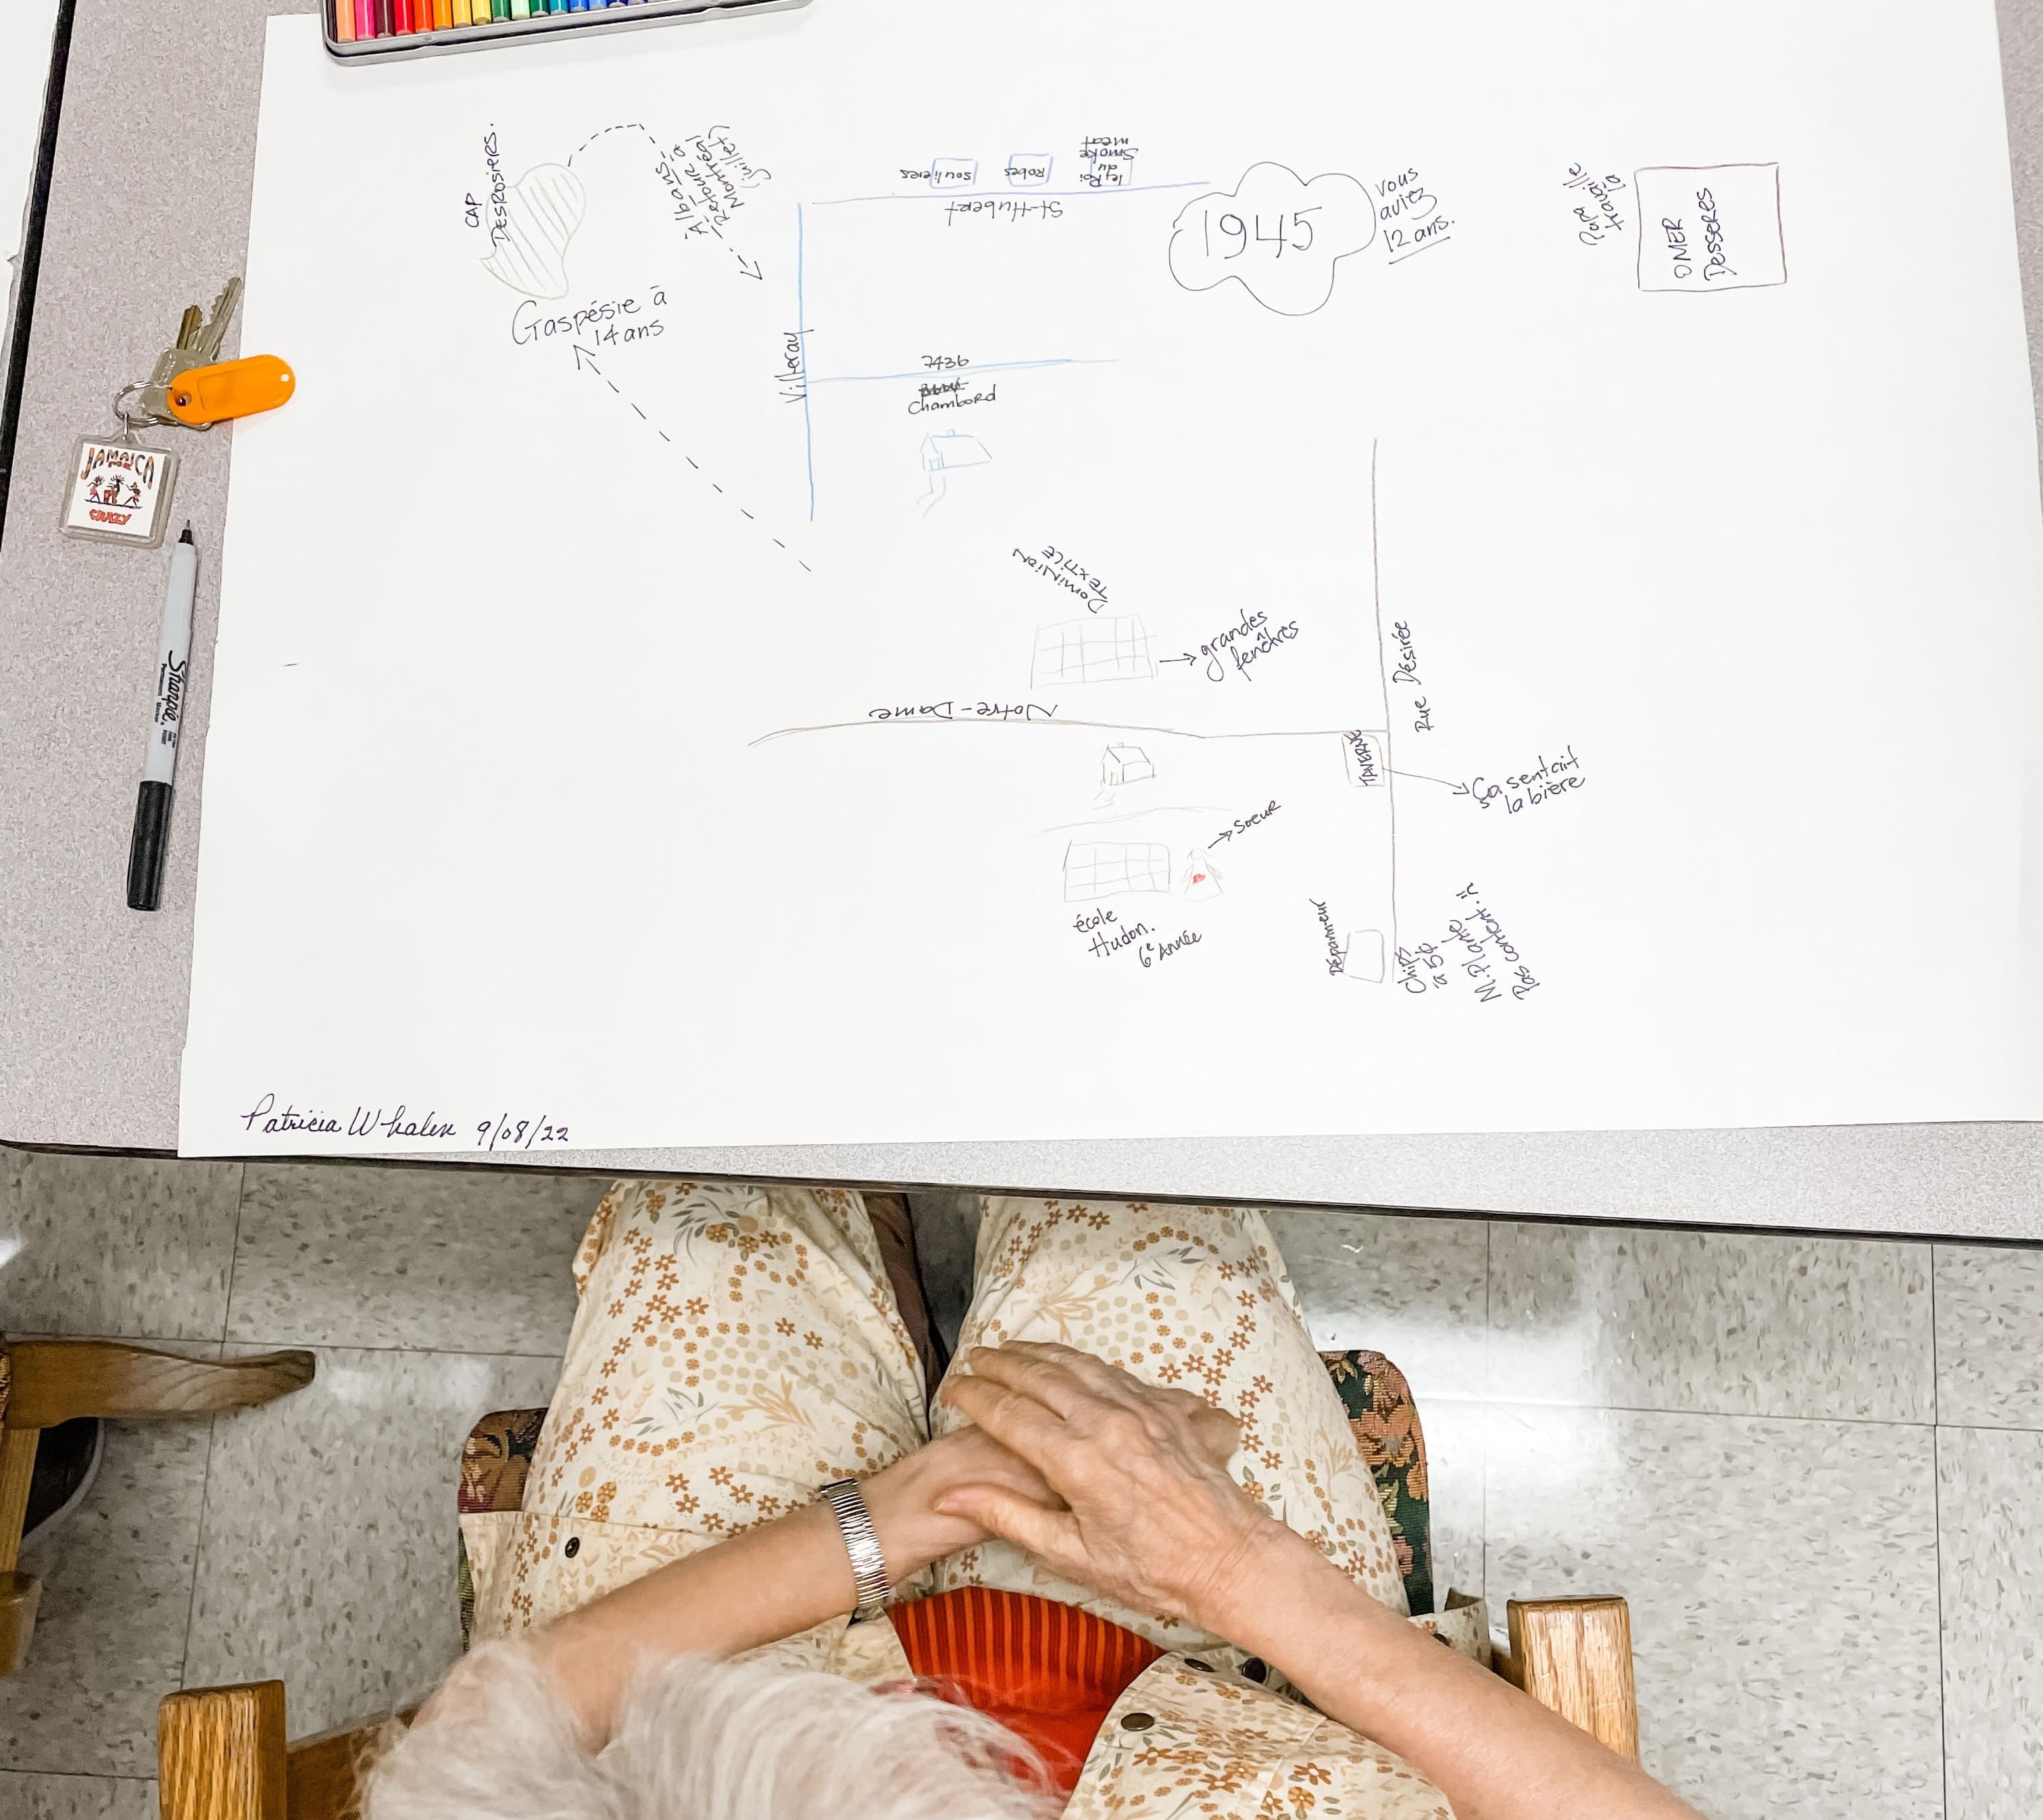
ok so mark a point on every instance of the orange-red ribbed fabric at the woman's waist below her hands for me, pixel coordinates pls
(1043, 1670)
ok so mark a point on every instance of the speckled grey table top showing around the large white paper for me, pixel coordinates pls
(93, 998)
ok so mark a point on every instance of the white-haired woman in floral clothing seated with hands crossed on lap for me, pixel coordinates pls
(1131, 1568)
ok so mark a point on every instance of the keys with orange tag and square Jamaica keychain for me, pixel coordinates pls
(120, 487)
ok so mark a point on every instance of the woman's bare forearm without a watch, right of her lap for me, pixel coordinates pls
(1492, 1752)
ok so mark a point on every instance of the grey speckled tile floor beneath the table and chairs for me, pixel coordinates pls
(1815, 1468)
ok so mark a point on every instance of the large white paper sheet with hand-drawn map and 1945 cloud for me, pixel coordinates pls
(924, 571)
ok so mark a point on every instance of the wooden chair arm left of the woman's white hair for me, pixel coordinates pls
(222, 1756)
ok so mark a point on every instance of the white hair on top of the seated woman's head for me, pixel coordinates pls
(702, 1741)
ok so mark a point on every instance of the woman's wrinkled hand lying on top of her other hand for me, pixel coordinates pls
(1145, 1508)
